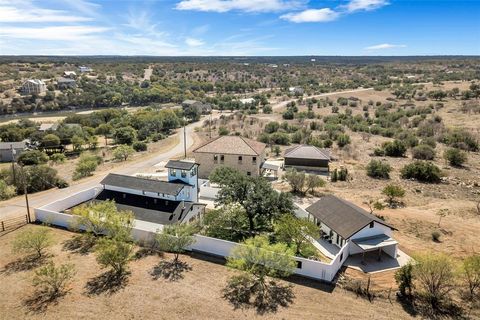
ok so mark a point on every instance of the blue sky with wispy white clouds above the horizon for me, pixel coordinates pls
(239, 27)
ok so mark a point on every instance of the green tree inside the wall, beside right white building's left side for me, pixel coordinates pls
(296, 232)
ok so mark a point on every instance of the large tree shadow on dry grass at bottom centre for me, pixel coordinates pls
(242, 293)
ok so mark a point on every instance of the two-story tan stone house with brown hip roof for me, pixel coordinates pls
(243, 154)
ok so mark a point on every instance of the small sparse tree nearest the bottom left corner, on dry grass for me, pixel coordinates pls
(53, 281)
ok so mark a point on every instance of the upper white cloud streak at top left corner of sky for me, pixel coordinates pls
(19, 15)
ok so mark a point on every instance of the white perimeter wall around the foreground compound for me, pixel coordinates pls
(144, 232)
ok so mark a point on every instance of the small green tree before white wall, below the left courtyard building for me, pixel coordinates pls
(175, 238)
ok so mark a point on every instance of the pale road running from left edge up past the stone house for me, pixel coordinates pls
(17, 206)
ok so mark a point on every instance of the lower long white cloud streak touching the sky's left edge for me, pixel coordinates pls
(64, 33)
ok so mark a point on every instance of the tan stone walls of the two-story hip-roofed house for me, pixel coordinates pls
(207, 164)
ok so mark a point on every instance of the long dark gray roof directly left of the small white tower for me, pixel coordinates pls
(136, 183)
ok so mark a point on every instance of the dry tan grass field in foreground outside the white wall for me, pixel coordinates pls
(196, 295)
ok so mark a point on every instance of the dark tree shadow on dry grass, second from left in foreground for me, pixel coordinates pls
(108, 283)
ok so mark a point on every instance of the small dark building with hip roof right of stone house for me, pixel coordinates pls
(307, 158)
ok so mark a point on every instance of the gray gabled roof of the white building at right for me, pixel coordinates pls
(342, 216)
